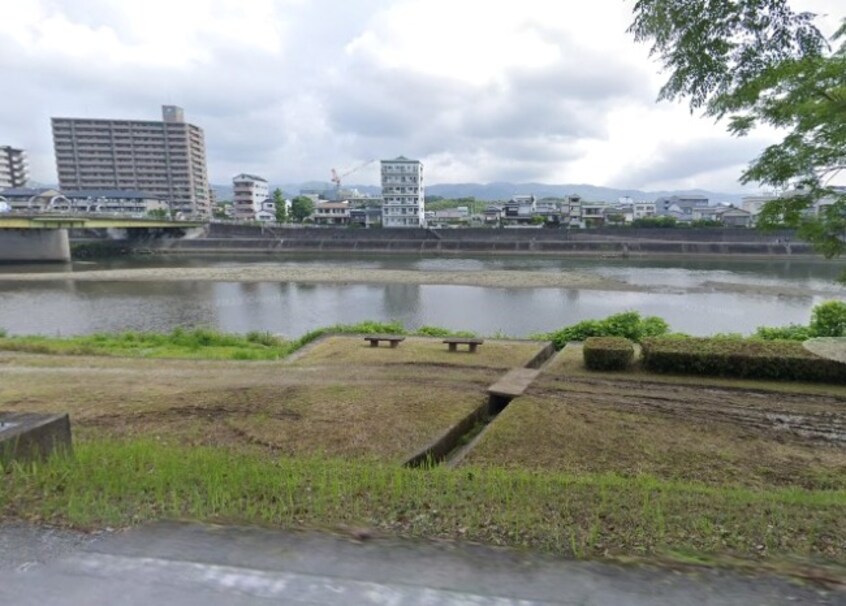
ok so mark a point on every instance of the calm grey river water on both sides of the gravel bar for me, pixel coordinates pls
(74, 307)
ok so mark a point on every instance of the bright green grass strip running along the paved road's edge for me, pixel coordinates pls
(121, 483)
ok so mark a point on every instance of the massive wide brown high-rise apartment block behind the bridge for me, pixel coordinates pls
(165, 158)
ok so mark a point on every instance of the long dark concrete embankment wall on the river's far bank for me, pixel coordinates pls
(243, 239)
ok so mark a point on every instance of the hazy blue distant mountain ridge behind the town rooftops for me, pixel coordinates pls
(504, 191)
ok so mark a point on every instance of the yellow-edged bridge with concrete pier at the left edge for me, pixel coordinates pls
(30, 238)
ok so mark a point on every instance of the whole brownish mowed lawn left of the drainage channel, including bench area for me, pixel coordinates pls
(354, 406)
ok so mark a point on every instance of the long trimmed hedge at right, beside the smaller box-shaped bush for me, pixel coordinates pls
(749, 359)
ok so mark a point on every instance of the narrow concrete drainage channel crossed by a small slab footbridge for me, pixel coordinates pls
(451, 447)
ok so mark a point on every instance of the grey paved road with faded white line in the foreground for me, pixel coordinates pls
(192, 564)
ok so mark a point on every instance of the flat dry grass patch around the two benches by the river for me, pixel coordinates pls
(349, 350)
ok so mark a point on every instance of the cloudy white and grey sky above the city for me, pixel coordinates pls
(478, 90)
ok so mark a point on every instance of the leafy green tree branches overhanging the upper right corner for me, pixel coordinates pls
(758, 62)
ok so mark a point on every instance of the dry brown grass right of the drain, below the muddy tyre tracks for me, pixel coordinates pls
(578, 433)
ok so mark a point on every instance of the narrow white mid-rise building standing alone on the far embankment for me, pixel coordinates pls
(402, 193)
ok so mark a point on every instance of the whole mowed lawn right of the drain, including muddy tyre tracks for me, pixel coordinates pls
(720, 433)
